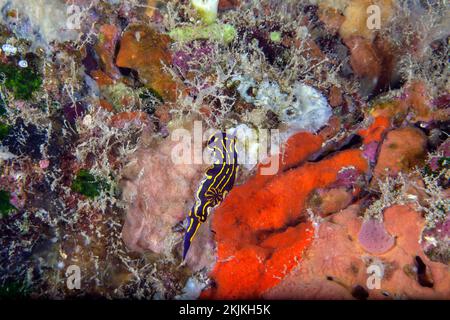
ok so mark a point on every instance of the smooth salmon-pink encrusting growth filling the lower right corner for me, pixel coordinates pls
(347, 270)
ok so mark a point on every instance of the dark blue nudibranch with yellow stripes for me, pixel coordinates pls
(218, 181)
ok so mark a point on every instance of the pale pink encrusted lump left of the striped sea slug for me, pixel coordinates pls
(159, 194)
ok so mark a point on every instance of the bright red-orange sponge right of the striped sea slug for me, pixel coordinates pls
(261, 230)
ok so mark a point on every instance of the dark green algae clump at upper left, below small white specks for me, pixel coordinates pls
(23, 82)
